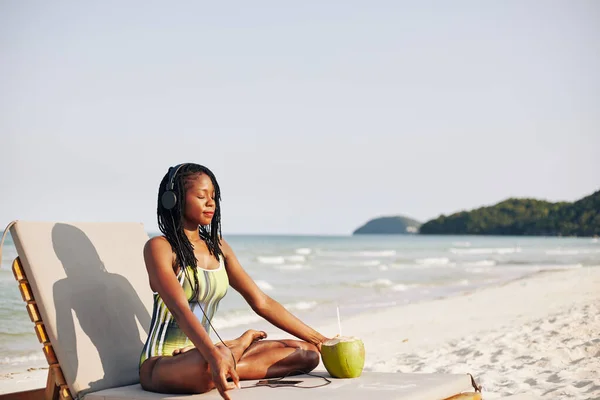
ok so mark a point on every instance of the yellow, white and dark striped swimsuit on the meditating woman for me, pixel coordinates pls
(165, 335)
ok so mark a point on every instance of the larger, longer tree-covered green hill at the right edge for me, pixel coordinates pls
(523, 217)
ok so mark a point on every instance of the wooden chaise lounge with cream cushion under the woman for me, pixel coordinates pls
(86, 291)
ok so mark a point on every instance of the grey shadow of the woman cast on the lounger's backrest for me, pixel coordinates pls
(105, 305)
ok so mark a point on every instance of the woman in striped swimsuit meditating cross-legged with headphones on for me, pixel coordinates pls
(192, 266)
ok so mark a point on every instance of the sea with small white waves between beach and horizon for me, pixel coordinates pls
(319, 277)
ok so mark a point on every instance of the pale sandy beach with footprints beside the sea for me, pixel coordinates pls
(537, 335)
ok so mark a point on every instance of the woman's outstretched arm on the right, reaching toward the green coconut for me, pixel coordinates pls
(263, 305)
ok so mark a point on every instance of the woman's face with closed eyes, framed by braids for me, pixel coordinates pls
(200, 202)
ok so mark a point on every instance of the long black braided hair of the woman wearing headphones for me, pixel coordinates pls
(170, 222)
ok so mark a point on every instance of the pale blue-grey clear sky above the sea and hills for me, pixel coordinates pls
(315, 116)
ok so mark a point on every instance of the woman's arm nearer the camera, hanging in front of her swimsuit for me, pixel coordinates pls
(158, 256)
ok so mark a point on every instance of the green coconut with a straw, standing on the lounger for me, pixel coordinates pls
(343, 356)
